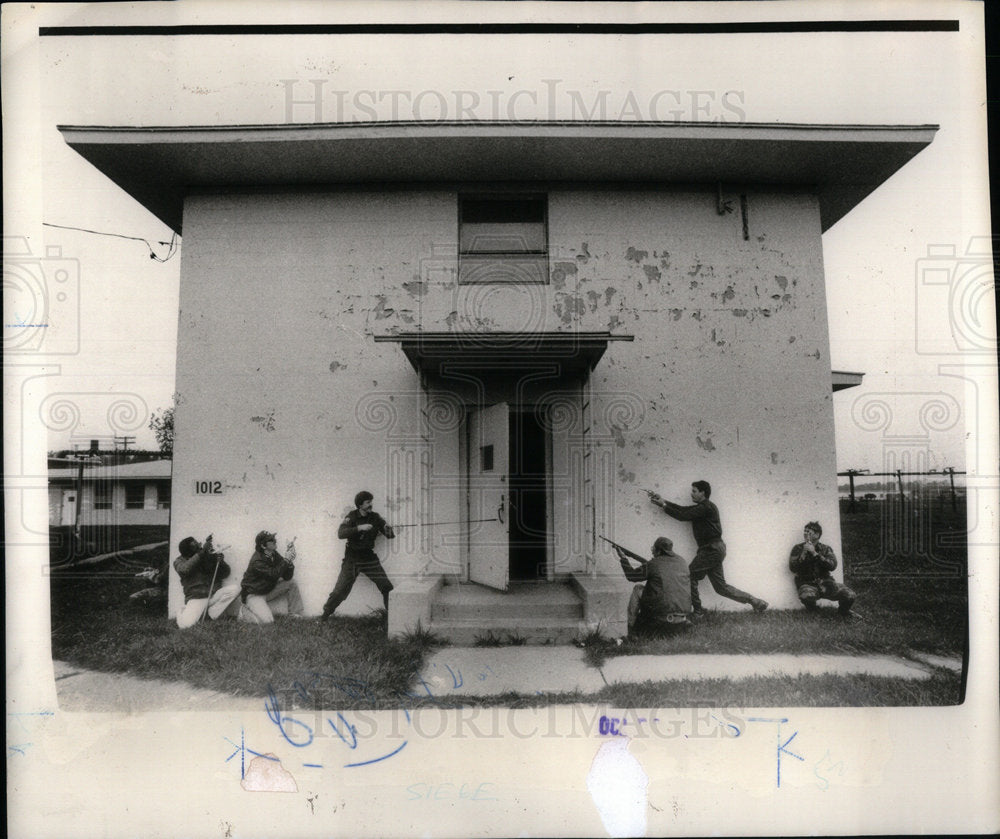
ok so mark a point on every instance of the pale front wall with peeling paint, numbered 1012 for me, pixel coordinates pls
(288, 403)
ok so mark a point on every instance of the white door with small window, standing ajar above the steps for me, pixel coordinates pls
(489, 457)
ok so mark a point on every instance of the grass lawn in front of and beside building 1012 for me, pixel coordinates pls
(915, 603)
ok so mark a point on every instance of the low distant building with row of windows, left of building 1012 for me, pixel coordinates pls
(130, 493)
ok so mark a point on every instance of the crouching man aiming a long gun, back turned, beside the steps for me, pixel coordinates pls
(663, 604)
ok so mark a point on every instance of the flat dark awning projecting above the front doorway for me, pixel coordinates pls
(428, 352)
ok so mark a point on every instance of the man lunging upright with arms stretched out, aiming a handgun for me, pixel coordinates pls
(707, 529)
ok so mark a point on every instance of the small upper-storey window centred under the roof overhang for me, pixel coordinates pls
(503, 239)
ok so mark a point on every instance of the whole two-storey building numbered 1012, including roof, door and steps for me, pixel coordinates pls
(511, 328)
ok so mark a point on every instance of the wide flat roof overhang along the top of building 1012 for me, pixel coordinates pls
(158, 166)
